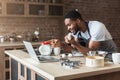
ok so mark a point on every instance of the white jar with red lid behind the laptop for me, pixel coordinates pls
(45, 49)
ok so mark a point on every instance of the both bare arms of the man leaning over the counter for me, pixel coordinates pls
(93, 45)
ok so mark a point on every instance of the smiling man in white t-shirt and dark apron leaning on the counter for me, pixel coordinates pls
(85, 36)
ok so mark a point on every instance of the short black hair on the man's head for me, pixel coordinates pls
(73, 15)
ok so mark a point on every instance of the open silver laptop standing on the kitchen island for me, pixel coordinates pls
(34, 55)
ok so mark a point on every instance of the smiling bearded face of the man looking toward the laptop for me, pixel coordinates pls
(72, 26)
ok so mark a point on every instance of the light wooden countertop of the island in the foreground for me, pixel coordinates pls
(54, 71)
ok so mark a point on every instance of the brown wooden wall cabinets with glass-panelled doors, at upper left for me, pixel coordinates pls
(32, 8)
